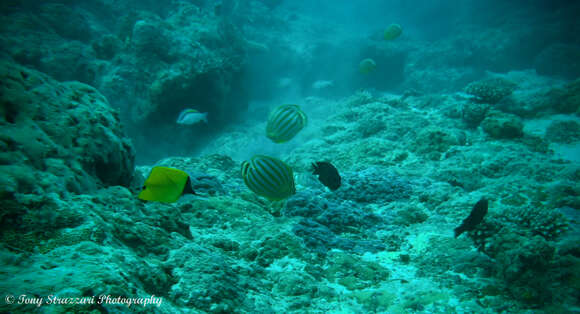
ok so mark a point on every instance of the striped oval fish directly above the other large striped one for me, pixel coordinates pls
(285, 122)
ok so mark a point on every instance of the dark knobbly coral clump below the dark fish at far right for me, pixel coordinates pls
(522, 242)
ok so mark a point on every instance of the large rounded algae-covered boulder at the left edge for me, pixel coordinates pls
(65, 132)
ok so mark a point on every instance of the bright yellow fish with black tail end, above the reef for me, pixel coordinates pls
(166, 185)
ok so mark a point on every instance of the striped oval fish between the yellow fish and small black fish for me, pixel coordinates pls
(268, 177)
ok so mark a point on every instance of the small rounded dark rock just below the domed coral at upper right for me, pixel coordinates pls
(503, 125)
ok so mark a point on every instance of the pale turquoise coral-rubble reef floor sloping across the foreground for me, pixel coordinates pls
(387, 228)
